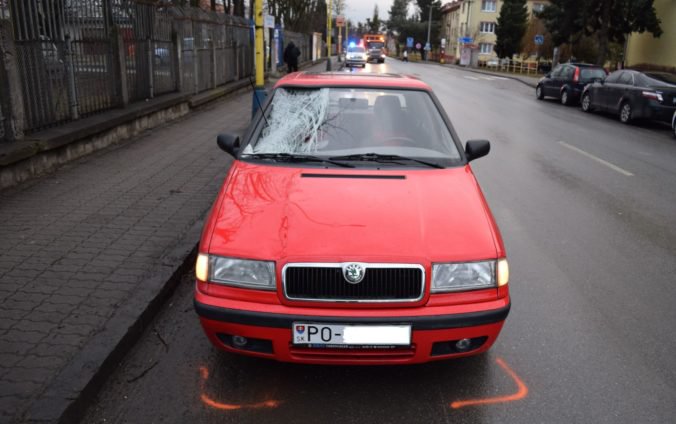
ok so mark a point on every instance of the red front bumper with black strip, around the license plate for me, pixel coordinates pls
(435, 329)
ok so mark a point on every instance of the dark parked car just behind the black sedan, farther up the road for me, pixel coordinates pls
(567, 81)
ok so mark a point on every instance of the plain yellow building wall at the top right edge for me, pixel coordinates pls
(646, 50)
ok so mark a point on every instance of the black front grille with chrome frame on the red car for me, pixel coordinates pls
(380, 283)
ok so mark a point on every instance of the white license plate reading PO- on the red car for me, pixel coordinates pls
(323, 335)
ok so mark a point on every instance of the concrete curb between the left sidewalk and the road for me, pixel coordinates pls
(68, 396)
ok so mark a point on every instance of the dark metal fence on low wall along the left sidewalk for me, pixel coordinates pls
(80, 57)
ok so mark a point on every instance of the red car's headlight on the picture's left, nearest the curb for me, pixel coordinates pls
(245, 273)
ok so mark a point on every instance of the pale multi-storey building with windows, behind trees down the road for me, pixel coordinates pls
(475, 20)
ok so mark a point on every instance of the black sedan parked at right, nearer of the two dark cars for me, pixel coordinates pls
(633, 95)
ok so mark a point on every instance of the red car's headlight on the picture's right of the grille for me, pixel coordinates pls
(453, 277)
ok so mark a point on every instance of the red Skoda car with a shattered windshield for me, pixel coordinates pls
(351, 230)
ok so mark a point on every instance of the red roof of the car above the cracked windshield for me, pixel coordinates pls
(350, 79)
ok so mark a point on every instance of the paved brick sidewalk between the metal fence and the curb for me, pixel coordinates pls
(85, 250)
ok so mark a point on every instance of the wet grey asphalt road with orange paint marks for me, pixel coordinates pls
(587, 209)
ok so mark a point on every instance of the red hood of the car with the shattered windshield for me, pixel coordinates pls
(291, 214)
